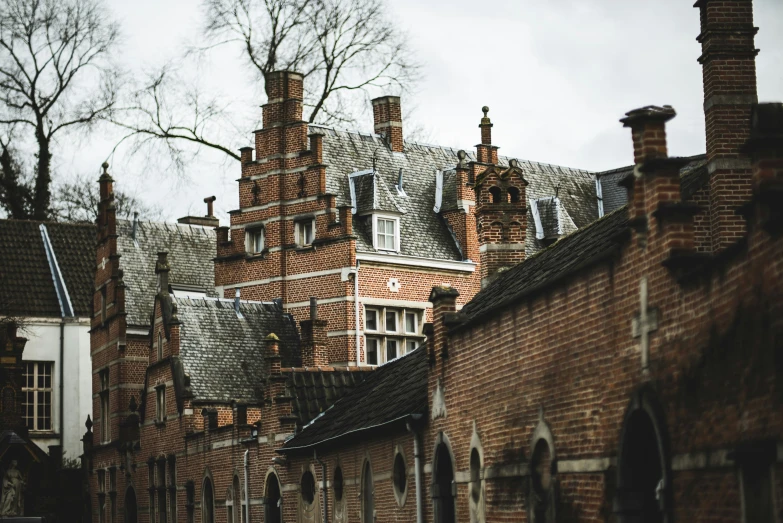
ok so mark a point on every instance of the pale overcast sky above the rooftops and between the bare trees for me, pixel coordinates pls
(557, 76)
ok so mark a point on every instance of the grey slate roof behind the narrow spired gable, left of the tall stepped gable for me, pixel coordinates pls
(191, 249)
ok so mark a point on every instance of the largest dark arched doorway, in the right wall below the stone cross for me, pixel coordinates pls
(643, 471)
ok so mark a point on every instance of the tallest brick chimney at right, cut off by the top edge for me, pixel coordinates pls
(729, 73)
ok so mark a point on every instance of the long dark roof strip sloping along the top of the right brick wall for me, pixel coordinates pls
(570, 254)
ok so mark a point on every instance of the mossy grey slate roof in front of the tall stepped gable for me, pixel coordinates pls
(224, 354)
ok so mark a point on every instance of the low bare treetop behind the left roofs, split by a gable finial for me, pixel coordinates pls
(77, 201)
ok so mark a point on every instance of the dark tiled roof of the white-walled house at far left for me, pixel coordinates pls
(26, 284)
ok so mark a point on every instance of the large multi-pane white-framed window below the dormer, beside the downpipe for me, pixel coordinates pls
(390, 332)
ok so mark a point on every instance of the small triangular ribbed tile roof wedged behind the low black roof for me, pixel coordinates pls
(316, 389)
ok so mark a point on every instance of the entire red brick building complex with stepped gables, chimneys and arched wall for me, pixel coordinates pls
(571, 369)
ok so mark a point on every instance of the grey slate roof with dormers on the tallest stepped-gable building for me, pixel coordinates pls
(424, 232)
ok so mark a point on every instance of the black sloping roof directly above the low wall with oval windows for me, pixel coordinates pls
(393, 392)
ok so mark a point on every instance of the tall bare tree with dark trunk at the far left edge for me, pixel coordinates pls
(55, 76)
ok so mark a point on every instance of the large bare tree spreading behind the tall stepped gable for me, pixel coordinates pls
(344, 48)
